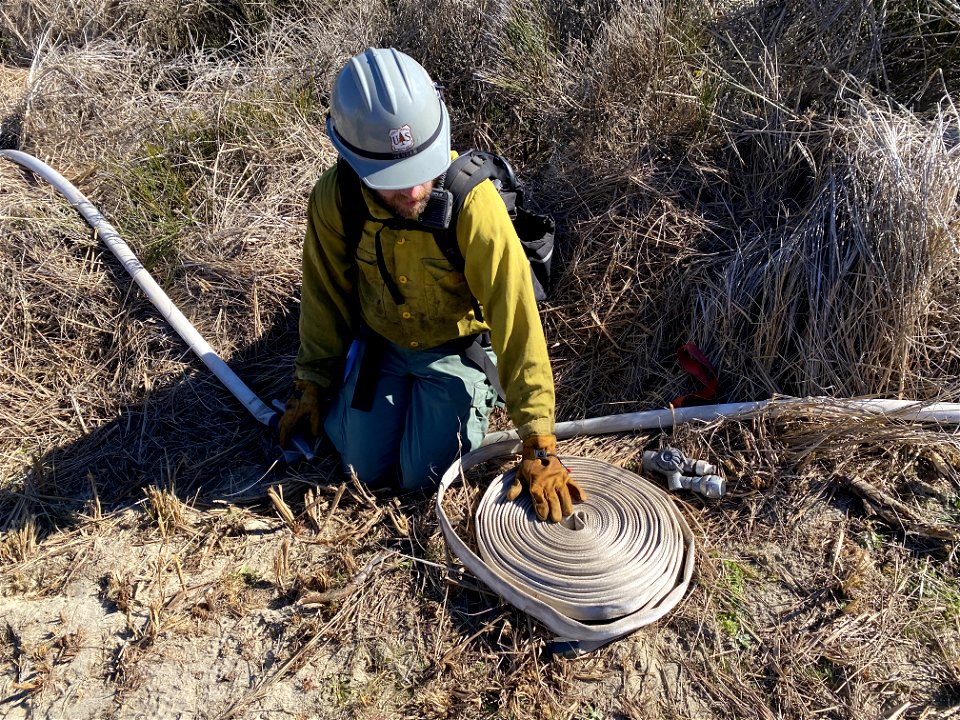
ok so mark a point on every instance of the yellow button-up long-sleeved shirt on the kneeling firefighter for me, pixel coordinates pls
(437, 306)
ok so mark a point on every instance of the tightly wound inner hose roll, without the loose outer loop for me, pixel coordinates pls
(628, 534)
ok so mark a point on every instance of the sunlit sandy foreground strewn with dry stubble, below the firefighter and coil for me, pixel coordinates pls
(163, 610)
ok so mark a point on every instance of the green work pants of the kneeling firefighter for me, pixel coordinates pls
(428, 407)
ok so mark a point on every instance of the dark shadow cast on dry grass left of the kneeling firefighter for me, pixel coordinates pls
(190, 436)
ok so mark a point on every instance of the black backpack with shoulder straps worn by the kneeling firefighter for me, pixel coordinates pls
(535, 230)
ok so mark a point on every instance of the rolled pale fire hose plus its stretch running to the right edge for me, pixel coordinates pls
(519, 579)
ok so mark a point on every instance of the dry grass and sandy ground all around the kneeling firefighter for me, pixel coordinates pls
(775, 181)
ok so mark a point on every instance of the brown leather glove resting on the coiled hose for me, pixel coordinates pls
(552, 490)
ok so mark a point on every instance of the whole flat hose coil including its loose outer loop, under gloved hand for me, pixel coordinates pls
(622, 560)
